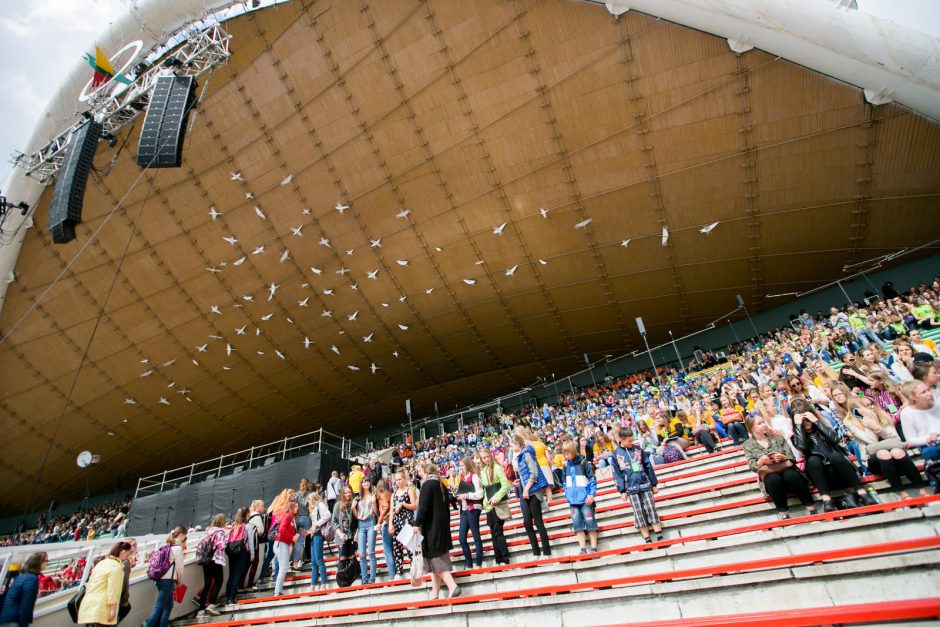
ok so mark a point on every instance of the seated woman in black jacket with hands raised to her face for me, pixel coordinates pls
(827, 464)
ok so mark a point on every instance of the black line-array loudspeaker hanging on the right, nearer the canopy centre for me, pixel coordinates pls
(161, 138)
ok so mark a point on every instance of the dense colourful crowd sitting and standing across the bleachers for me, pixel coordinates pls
(819, 404)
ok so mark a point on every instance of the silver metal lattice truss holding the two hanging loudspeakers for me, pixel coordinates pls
(199, 51)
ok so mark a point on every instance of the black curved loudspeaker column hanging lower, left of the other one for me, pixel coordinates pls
(69, 193)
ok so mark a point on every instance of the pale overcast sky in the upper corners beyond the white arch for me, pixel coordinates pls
(41, 40)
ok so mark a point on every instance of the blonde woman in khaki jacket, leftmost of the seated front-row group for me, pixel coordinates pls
(769, 455)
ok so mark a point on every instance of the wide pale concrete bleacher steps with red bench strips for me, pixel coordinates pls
(726, 559)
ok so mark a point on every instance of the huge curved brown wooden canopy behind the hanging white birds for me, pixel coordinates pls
(509, 168)
